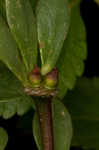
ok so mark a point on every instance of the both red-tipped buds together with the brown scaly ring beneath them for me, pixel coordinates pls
(42, 85)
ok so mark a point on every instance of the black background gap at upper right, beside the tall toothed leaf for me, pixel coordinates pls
(90, 14)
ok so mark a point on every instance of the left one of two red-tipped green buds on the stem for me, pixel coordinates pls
(35, 77)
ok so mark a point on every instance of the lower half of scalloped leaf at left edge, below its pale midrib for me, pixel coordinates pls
(19, 105)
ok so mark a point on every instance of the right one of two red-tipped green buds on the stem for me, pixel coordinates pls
(51, 79)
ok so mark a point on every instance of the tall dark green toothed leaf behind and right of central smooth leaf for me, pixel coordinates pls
(70, 63)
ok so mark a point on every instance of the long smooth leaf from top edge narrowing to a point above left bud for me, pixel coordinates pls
(23, 27)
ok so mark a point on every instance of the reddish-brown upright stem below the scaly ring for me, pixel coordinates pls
(45, 115)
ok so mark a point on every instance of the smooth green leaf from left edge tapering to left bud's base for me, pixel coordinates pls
(9, 52)
